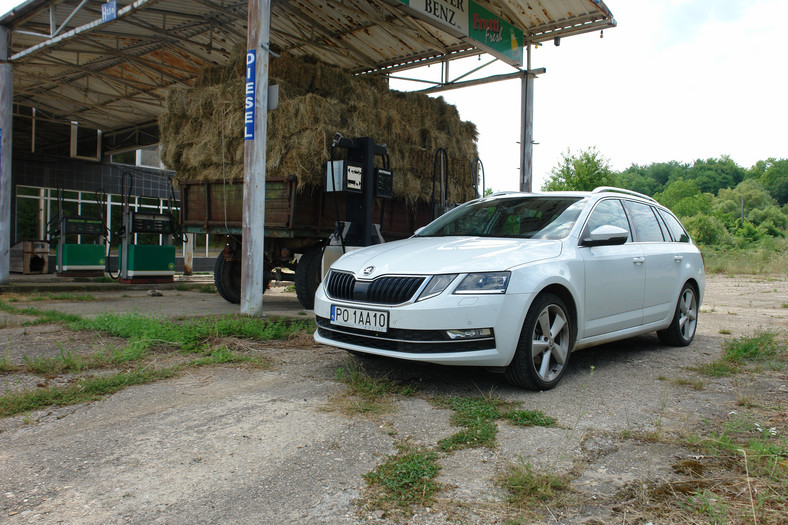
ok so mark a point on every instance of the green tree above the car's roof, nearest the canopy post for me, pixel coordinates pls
(582, 172)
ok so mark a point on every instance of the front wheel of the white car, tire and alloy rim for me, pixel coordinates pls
(544, 347)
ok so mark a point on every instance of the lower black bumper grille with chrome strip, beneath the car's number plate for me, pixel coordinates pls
(399, 340)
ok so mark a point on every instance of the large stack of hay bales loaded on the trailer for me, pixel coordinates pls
(202, 127)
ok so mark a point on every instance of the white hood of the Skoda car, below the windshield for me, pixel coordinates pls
(435, 255)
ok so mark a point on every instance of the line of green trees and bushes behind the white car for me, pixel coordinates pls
(719, 202)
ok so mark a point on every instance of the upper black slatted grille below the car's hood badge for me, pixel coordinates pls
(389, 290)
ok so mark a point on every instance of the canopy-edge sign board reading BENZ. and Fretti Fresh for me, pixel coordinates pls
(466, 18)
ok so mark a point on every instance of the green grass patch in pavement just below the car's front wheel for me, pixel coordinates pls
(478, 416)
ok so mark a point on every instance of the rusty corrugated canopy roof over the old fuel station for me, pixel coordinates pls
(114, 76)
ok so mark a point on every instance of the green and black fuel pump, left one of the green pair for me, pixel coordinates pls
(76, 259)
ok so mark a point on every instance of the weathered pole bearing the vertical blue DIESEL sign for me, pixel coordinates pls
(253, 229)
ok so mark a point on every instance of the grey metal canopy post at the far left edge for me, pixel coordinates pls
(6, 112)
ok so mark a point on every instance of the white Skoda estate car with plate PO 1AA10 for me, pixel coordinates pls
(515, 282)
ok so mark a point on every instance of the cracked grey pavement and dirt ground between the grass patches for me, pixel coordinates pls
(229, 444)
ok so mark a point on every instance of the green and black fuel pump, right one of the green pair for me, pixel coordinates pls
(144, 263)
